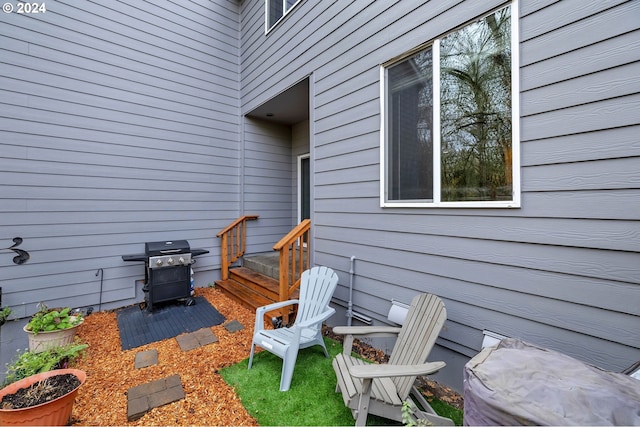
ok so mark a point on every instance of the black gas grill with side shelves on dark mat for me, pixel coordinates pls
(167, 270)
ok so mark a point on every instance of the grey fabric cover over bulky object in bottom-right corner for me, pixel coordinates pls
(515, 383)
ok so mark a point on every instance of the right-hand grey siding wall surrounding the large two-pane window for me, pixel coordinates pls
(563, 270)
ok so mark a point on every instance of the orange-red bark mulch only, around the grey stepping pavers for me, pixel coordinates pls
(102, 400)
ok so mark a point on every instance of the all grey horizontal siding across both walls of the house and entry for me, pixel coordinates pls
(118, 127)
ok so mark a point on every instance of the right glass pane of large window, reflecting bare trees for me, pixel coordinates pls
(475, 90)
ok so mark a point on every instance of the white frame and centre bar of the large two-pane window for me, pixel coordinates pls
(515, 128)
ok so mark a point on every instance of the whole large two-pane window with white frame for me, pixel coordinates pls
(450, 115)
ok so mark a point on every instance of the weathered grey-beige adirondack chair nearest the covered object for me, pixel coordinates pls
(382, 389)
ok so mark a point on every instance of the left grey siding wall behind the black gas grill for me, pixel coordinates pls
(119, 124)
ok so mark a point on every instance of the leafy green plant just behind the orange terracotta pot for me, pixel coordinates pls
(28, 363)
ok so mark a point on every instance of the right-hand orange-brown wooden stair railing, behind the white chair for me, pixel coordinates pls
(294, 258)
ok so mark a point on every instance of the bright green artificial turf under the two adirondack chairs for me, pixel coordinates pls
(311, 400)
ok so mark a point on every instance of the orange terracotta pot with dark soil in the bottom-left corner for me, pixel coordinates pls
(53, 413)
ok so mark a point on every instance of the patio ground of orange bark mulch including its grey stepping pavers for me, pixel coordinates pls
(189, 362)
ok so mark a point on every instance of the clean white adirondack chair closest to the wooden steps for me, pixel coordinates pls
(316, 289)
